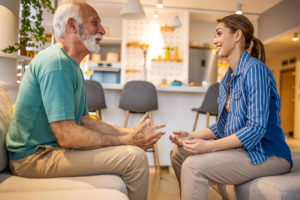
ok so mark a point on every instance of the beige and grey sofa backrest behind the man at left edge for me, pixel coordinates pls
(5, 116)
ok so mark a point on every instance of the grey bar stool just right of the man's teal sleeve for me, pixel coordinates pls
(95, 97)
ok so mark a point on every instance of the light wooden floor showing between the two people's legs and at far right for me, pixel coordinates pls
(167, 187)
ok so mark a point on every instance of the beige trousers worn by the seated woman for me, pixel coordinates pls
(195, 173)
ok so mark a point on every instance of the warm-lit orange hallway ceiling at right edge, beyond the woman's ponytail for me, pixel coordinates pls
(282, 45)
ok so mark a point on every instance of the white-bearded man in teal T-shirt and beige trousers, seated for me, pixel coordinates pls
(51, 133)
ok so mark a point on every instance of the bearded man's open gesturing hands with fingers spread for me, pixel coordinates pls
(143, 136)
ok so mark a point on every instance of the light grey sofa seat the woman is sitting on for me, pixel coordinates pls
(281, 187)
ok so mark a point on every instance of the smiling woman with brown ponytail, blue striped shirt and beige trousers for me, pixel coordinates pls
(248, 141)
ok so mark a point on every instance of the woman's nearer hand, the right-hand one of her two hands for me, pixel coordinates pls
(198, 146)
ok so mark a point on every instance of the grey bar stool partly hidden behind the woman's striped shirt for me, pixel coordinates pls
(209, 105)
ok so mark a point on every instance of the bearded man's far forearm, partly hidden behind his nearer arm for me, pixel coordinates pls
(104, 127)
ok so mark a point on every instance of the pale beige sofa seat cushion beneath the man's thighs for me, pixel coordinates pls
(10, 183)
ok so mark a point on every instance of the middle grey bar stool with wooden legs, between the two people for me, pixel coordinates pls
(140, 97)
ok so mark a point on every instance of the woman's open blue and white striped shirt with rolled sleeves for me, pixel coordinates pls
(253, 111)
